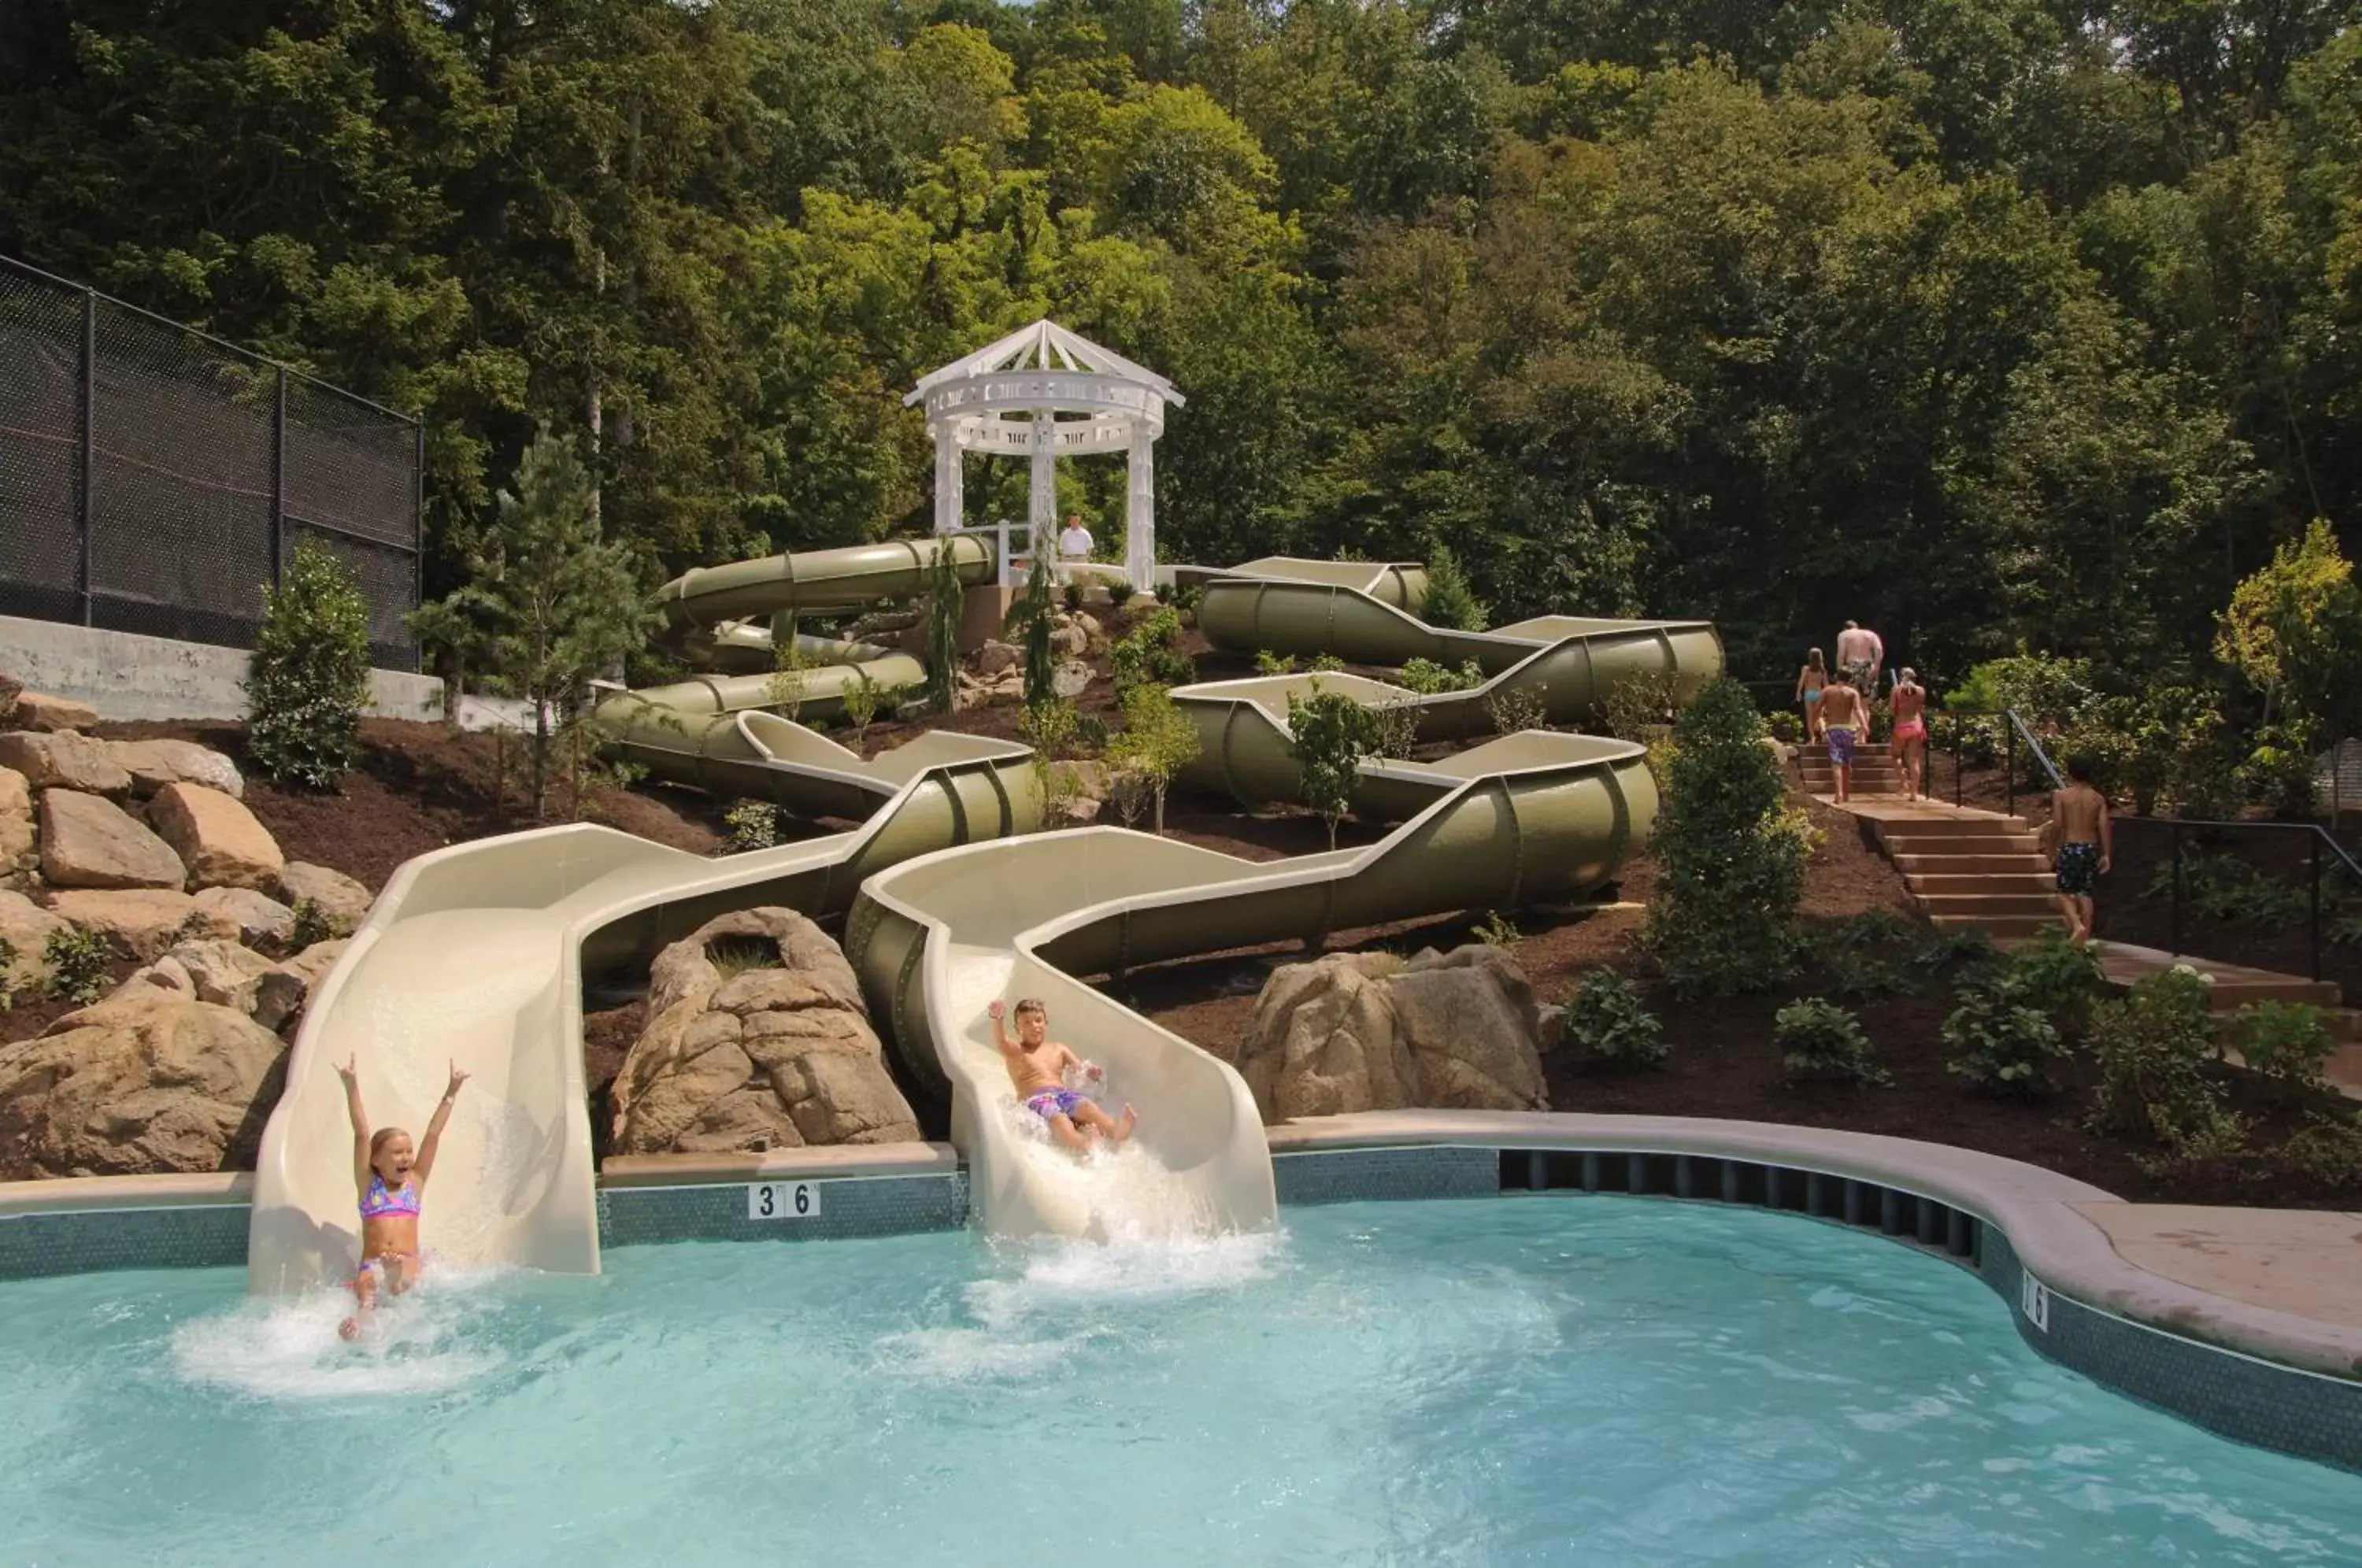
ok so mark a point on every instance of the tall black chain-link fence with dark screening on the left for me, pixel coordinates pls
(155, 481)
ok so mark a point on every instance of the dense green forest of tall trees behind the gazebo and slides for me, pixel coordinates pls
(1990, 322)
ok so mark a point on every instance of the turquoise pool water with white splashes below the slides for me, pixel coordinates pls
(1454, 1383)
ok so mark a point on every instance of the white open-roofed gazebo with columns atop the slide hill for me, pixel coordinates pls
(1050, 396)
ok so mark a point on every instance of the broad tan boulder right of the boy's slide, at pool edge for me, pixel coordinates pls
(1352, 1033)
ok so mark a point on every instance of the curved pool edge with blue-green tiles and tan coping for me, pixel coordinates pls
(72, 1227)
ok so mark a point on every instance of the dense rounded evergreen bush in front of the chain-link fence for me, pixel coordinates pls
(311, 674)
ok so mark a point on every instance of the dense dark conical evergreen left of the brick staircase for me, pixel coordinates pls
(1730, 856)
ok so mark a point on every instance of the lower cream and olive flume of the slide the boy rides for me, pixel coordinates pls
(937, 939)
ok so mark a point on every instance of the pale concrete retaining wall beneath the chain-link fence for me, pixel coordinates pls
(129, 677)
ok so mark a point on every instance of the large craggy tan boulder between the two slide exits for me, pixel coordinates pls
(764, 1059)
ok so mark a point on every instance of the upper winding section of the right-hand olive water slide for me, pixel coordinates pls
(1366, 615)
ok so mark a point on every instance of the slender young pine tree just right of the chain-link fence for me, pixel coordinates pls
(554, 599)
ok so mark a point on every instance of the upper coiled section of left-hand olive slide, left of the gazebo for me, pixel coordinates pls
(715, 731)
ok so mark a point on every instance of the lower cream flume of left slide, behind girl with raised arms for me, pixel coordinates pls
(476, 955)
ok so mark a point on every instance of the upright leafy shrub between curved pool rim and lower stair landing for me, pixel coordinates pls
(2153, 1050)
